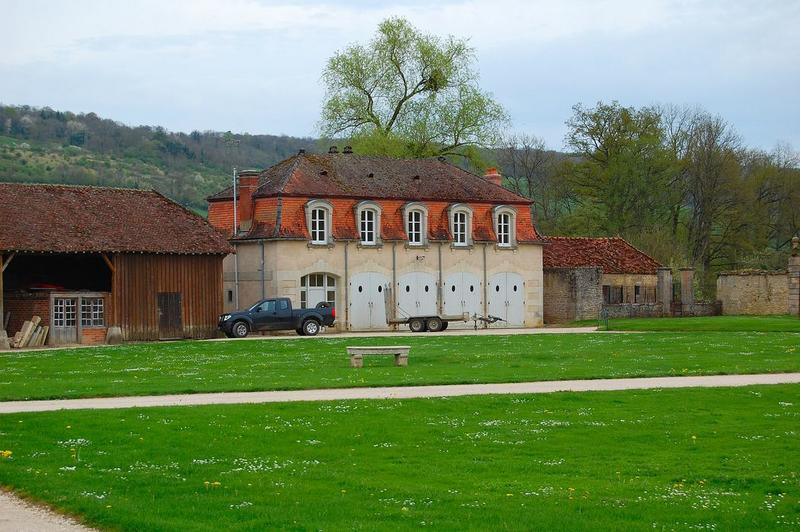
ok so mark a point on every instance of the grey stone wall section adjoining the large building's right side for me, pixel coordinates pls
(572, 294)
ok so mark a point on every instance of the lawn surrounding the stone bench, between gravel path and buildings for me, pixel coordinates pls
(186, 367)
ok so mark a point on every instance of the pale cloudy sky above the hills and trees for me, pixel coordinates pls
(254, 66)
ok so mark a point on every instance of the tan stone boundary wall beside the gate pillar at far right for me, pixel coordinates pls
(753, 292)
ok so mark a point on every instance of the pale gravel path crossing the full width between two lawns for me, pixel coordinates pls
(398, 392)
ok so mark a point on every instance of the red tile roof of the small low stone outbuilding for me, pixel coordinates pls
(613, 255)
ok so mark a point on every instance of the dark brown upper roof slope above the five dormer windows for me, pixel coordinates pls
(359, 176)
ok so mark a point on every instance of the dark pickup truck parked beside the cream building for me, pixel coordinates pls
(277, 315)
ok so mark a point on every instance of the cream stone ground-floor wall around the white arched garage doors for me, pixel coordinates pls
(280, 270)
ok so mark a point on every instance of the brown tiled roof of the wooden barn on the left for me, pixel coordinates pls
(76, 219)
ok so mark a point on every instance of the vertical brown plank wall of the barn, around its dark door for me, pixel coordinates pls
(139, 279)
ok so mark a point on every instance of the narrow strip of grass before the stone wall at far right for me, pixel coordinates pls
(710, 323)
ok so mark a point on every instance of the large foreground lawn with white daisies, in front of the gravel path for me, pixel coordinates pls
(722, 459)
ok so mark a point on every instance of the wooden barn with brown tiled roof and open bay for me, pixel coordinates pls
(99, 264)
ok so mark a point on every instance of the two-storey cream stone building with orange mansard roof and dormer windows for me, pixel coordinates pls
(343, 228)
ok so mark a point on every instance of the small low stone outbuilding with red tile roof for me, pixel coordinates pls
(581, 275)
